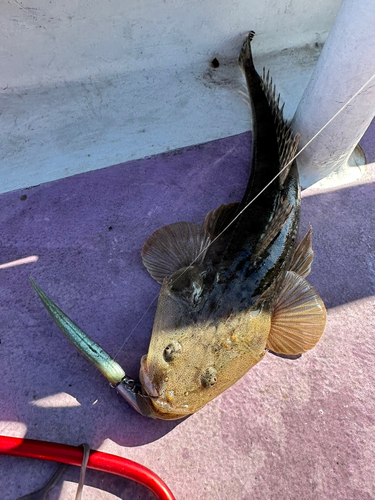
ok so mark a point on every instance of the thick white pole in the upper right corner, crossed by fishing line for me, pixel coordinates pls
(347, 61)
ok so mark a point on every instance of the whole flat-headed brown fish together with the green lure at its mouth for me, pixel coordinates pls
(232, 289)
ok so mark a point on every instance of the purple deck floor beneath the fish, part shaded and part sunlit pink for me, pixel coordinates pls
(287, 430)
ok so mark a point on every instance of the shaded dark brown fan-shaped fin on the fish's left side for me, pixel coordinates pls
(172, 247)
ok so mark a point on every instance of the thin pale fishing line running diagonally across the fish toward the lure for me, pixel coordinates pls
(252, 201)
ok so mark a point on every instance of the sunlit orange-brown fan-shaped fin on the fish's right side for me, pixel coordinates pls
(298, 319)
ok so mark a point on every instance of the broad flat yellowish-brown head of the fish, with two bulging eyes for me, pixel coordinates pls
(194, 356)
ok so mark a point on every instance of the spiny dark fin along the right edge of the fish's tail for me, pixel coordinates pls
(287, 141)
